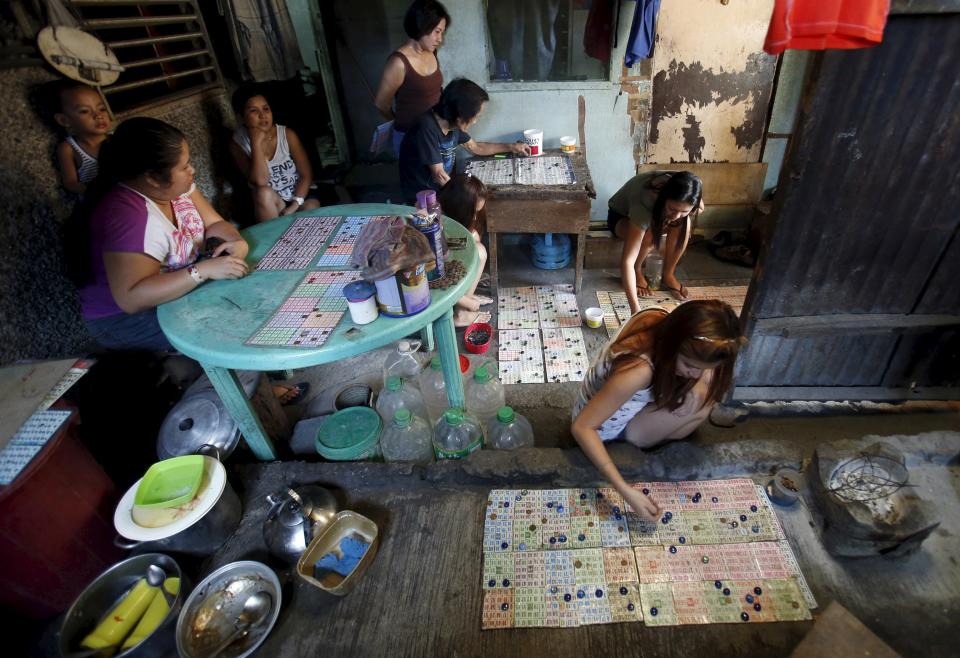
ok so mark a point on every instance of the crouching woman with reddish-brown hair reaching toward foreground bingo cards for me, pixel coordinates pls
(656, 381)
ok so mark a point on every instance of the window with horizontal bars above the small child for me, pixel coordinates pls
(163, 45)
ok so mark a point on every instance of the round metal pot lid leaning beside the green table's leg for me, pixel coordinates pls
(194, 422)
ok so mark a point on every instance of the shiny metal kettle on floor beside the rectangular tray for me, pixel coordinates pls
(296, 516)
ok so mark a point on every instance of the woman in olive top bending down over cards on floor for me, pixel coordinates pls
(640, 212)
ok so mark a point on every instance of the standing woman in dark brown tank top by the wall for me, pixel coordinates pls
(411, 80)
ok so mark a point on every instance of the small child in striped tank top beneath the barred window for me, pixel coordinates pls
(81, 111)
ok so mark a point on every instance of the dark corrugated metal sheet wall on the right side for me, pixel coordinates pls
(869, 214)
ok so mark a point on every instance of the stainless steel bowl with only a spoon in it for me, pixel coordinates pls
(209, 615)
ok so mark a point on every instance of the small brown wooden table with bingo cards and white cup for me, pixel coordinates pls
(542, 209)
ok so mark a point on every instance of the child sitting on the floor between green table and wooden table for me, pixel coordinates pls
(463, 199)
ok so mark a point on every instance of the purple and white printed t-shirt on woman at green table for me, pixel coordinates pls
(127, 221)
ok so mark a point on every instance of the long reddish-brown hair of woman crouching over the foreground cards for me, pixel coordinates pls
(705, 330)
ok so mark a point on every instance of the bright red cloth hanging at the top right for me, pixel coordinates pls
(822, 24)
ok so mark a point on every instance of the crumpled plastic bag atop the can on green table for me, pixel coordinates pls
(387, 246)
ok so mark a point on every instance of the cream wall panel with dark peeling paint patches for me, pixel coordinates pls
(711, 82)
